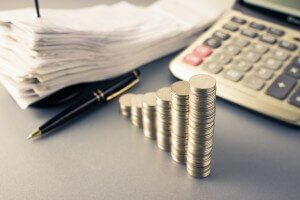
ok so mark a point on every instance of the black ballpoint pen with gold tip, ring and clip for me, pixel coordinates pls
(95, 98)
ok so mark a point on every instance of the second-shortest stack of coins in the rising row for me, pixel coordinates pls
(136, 110)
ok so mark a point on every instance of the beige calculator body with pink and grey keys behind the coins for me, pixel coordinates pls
(256, 63)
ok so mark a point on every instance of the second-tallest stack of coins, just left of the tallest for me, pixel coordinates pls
(179, 120)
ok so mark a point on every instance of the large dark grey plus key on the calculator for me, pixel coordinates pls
(281, 87)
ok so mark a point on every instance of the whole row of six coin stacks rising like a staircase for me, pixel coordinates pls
(180, 118)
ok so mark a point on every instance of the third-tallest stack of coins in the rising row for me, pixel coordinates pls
(163, 118)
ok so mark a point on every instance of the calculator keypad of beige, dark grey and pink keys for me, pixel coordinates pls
(251, 57)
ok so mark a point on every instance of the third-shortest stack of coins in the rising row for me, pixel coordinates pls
(149, 115)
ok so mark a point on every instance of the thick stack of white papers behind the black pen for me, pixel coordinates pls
(39, 56)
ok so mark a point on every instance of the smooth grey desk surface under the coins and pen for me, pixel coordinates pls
(103, 156)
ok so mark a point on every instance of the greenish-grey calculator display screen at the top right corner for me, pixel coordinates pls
(290, 7)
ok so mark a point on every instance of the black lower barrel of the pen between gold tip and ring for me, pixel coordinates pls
(71, 113)
